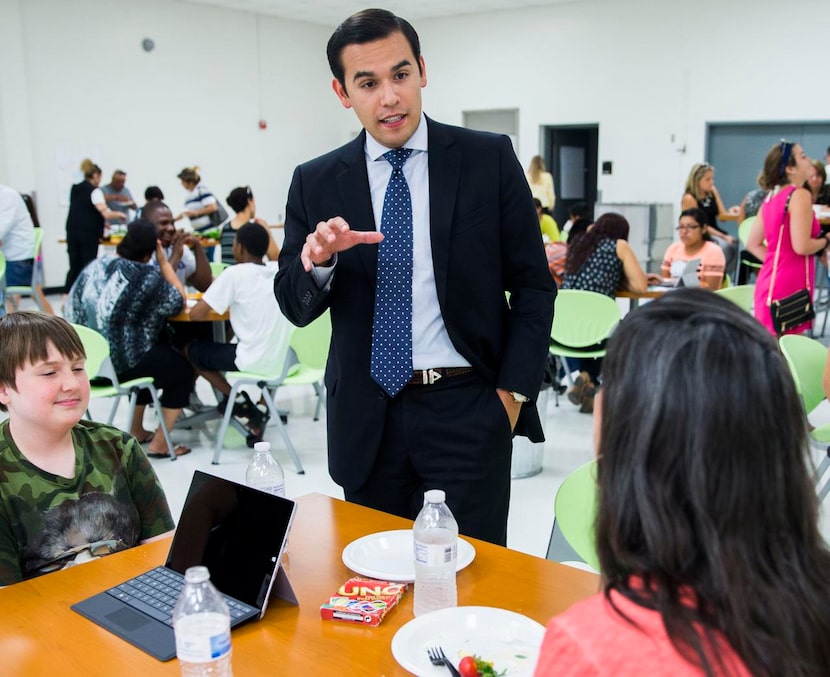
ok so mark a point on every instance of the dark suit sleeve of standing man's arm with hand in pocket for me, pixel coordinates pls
(527, 279)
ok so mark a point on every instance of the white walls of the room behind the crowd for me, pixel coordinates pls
(642, 70)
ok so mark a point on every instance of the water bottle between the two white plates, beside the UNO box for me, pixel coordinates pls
(436, 544)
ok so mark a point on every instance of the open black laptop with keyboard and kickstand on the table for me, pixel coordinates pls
(237, 532)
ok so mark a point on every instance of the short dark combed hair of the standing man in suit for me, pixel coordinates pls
(368, 26)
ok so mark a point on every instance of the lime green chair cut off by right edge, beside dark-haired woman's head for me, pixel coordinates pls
(806, 357)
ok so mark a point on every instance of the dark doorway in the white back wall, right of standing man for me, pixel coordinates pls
(571, 155)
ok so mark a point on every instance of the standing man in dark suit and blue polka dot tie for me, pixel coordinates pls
(471, 364)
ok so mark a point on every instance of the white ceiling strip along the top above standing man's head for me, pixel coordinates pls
(331, 12)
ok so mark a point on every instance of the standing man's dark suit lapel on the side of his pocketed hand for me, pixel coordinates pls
(444, 174)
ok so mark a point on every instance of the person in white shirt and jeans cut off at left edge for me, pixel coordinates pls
(17, 240)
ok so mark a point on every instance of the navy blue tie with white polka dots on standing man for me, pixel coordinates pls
(391, 365)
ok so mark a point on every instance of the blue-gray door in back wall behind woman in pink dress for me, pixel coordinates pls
(737, 151)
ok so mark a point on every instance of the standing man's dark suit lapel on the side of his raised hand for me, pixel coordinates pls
(353, 183)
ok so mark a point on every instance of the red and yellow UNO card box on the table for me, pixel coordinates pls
(363, 600)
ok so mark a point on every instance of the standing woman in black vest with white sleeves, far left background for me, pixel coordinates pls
(86, 219)
